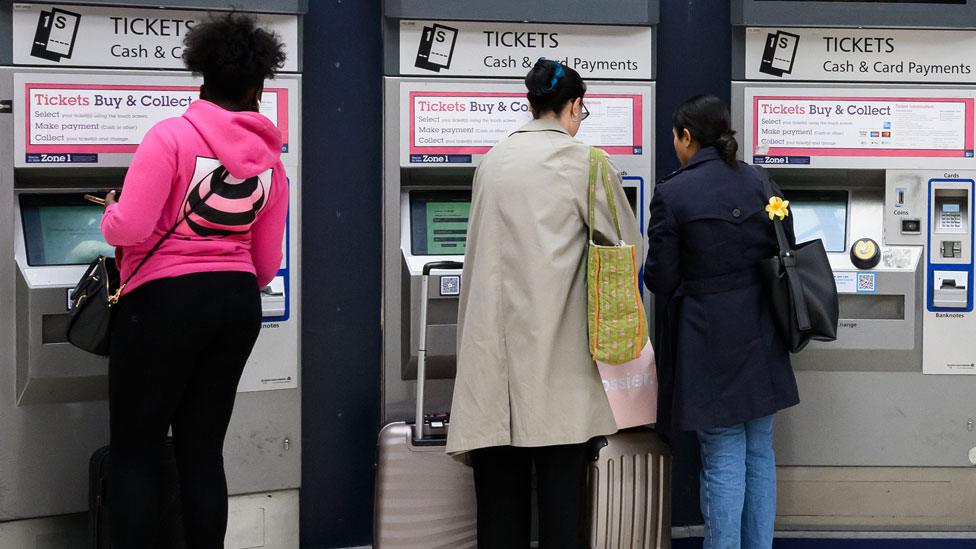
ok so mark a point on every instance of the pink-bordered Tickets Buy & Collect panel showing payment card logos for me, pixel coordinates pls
(806, 126)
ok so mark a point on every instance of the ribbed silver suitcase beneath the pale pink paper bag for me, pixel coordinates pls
(630, 492)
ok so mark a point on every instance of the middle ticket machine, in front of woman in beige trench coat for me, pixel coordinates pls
(454, 88)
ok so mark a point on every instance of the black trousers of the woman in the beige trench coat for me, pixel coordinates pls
(503, 485)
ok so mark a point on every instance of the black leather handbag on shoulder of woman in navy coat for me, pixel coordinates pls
(801, 288)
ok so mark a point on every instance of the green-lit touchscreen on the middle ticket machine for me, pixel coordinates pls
(439, 222)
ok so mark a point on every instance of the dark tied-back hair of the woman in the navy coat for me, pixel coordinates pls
(708, 121)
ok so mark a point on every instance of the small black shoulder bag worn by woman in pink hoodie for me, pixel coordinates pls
(90, 320)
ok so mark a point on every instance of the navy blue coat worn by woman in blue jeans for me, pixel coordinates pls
(720, 359)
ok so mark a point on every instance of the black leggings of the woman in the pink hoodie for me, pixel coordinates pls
(179, 346)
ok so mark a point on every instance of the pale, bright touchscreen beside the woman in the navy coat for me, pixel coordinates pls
(820, 214)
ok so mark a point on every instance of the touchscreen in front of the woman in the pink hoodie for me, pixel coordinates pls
(62, 229)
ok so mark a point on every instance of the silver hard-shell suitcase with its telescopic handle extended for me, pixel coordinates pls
(424, 498)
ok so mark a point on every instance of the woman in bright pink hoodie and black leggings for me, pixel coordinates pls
(188, 319)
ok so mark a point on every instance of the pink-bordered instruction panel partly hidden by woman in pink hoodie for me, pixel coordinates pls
(88, 119)
